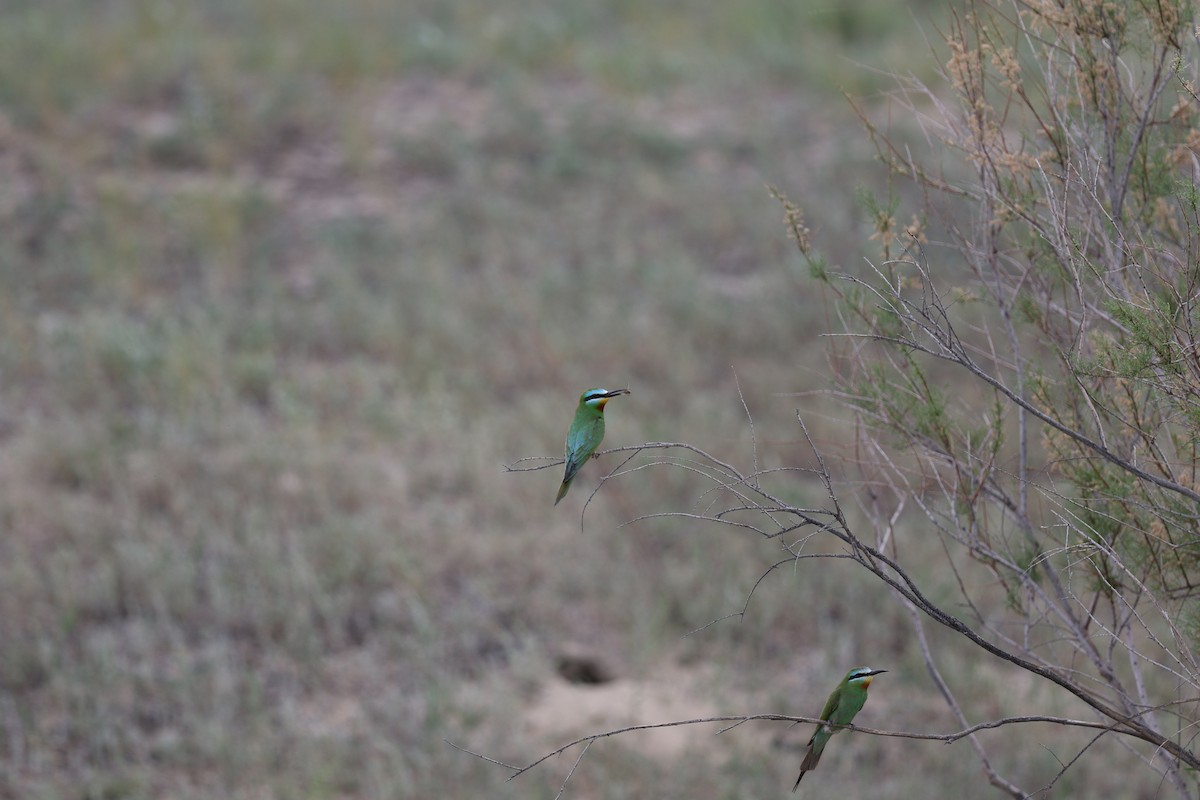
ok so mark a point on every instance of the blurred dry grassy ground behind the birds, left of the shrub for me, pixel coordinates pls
(284, 286)
